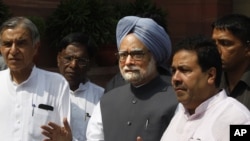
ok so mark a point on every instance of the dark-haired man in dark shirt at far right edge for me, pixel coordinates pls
(232, 36)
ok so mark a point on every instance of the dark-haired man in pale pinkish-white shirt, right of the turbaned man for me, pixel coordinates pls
(205, 112)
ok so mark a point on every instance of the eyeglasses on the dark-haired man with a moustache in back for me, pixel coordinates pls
(81, 62)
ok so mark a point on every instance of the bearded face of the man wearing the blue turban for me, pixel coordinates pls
(136, 63)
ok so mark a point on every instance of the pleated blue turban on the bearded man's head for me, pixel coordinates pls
(148, 32)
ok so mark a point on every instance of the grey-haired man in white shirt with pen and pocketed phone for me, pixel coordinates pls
(30, 97)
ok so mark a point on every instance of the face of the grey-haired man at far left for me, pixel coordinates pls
(18, 49)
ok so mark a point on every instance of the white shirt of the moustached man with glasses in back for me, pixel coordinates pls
(83, 101)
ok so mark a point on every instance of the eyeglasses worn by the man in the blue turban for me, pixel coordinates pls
(135, 55)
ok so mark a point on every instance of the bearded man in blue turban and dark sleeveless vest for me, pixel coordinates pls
(144, 106)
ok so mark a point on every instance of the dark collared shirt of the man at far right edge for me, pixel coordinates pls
(241, 90)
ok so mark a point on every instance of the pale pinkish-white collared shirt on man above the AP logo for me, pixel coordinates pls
(210, 122)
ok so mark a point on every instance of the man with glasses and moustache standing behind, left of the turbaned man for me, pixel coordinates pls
(73, 59)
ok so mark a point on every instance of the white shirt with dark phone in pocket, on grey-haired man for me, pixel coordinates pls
(24, 107)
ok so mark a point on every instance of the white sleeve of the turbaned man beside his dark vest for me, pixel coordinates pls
(95, 126)
